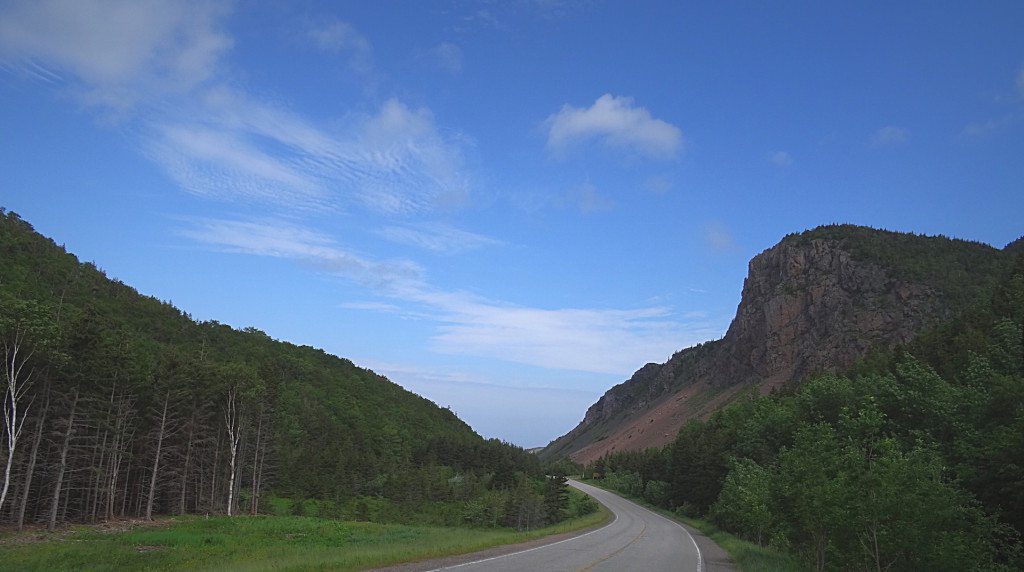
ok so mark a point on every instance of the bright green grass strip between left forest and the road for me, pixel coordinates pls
(259, 544)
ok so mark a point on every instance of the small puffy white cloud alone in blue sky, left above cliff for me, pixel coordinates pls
(618, 123)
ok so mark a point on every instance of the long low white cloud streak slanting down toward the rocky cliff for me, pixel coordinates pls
(594, 340)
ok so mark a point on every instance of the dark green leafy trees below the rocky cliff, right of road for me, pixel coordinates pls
(914, 461)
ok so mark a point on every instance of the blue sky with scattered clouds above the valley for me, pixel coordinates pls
(507, 207)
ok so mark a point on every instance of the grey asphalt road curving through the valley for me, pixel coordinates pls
(637, 540)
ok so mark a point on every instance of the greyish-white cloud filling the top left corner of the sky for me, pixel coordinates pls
(122, 52)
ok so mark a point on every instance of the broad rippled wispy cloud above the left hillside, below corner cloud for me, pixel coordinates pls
(234, 148)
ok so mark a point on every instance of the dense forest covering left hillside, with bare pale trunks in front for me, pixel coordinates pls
(117, 405)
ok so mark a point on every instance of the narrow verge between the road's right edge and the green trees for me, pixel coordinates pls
(749, 557)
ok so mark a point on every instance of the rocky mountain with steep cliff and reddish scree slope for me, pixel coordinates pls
(819, 301)
